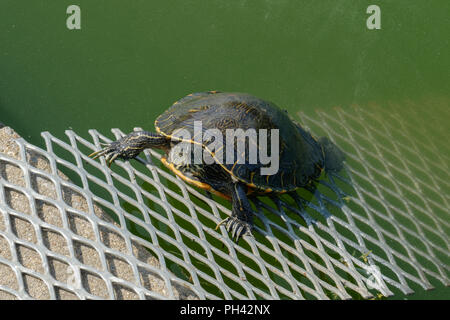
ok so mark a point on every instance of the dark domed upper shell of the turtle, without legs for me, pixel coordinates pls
(301, 157)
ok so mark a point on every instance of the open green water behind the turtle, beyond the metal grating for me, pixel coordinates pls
(131, 60)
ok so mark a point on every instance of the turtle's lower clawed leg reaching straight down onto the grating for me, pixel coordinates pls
(241, 220)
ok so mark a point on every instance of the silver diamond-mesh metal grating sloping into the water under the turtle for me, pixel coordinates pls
(378, 227)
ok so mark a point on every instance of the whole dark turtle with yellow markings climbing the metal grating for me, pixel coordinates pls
(302, 157)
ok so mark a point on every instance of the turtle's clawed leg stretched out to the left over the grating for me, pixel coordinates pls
(129, 146)
